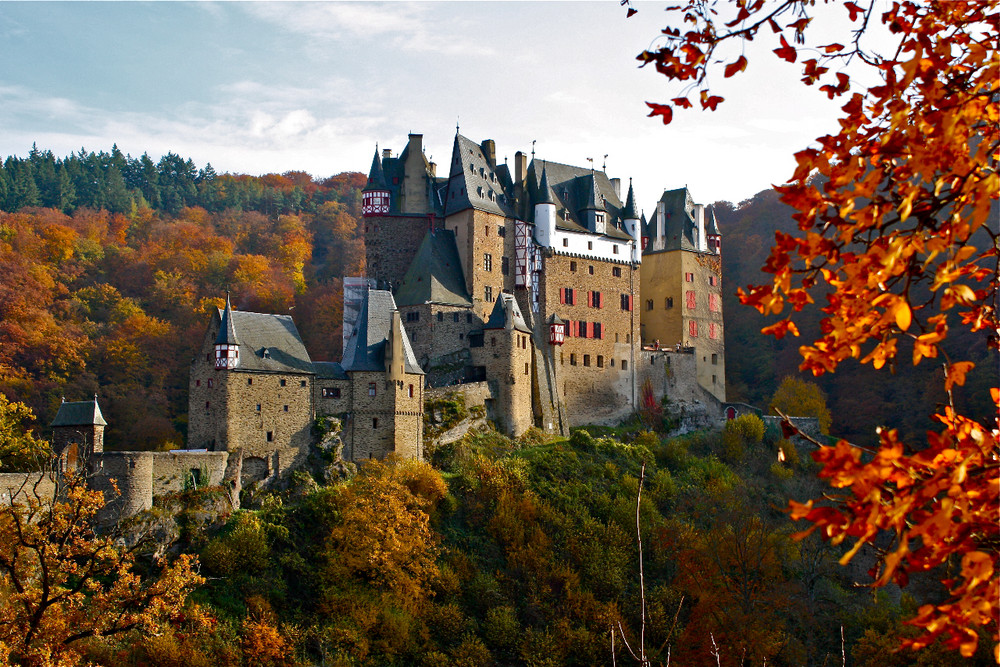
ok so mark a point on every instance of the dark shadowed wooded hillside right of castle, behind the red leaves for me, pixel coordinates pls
(859, 398)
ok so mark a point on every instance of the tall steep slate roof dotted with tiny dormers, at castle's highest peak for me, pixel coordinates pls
(474, 182)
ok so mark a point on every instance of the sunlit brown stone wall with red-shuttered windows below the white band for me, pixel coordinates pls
(594, 377)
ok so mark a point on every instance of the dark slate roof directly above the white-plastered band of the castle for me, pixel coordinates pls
(576, 189)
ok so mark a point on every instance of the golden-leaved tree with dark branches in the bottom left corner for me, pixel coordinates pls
(61, 583)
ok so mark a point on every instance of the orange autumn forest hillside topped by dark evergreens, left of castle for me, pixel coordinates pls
(110, 266)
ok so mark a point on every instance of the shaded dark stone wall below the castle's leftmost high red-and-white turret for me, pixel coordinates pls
(391, 243)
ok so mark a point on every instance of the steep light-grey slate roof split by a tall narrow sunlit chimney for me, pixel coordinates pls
(366, 348)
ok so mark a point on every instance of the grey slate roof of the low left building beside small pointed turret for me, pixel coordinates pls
(269, 343)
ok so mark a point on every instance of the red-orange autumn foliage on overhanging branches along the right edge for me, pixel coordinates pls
(894, 217)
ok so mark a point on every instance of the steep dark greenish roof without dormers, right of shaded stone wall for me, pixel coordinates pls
(435, 276)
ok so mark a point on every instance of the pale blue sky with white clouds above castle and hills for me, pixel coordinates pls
(259, 87)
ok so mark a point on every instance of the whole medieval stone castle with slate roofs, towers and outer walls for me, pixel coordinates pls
(535, 291)
